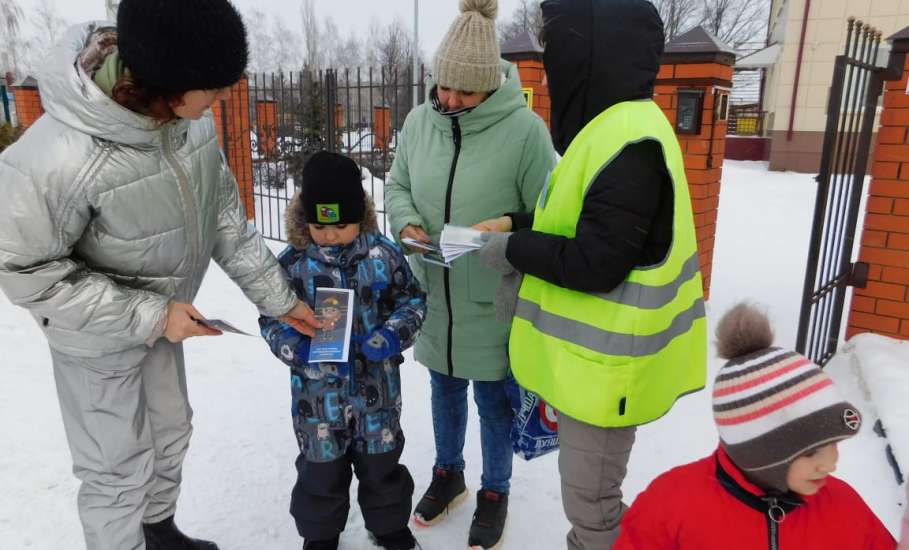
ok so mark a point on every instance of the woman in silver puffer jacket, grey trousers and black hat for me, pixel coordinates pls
(114, 203)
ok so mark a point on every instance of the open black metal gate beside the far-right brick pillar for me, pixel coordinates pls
(854, 95)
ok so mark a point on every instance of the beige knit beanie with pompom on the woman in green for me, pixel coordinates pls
(468, 57)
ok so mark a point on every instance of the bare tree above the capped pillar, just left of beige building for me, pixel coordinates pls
(736, 21)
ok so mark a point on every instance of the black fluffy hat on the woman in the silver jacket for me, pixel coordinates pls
(182, 45)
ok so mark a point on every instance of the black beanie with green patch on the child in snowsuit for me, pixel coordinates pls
(332, 190)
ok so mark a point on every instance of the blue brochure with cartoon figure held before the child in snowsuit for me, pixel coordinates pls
(334, 307)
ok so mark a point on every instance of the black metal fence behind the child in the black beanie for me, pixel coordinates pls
(355, 112)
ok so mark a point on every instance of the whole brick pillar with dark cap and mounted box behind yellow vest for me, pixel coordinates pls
(697, 69)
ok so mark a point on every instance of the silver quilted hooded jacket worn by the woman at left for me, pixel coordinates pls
(105, 217)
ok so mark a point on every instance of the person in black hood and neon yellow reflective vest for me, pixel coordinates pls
(608, 324)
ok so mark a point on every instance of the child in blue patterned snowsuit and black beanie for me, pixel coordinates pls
(348, 414)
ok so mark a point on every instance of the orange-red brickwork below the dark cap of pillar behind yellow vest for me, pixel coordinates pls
(703, 152)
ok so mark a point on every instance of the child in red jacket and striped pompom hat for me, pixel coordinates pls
(768, 486)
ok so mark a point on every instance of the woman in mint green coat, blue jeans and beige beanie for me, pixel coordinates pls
(472, 152)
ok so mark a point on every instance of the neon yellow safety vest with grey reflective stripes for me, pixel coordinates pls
(617, 358)
